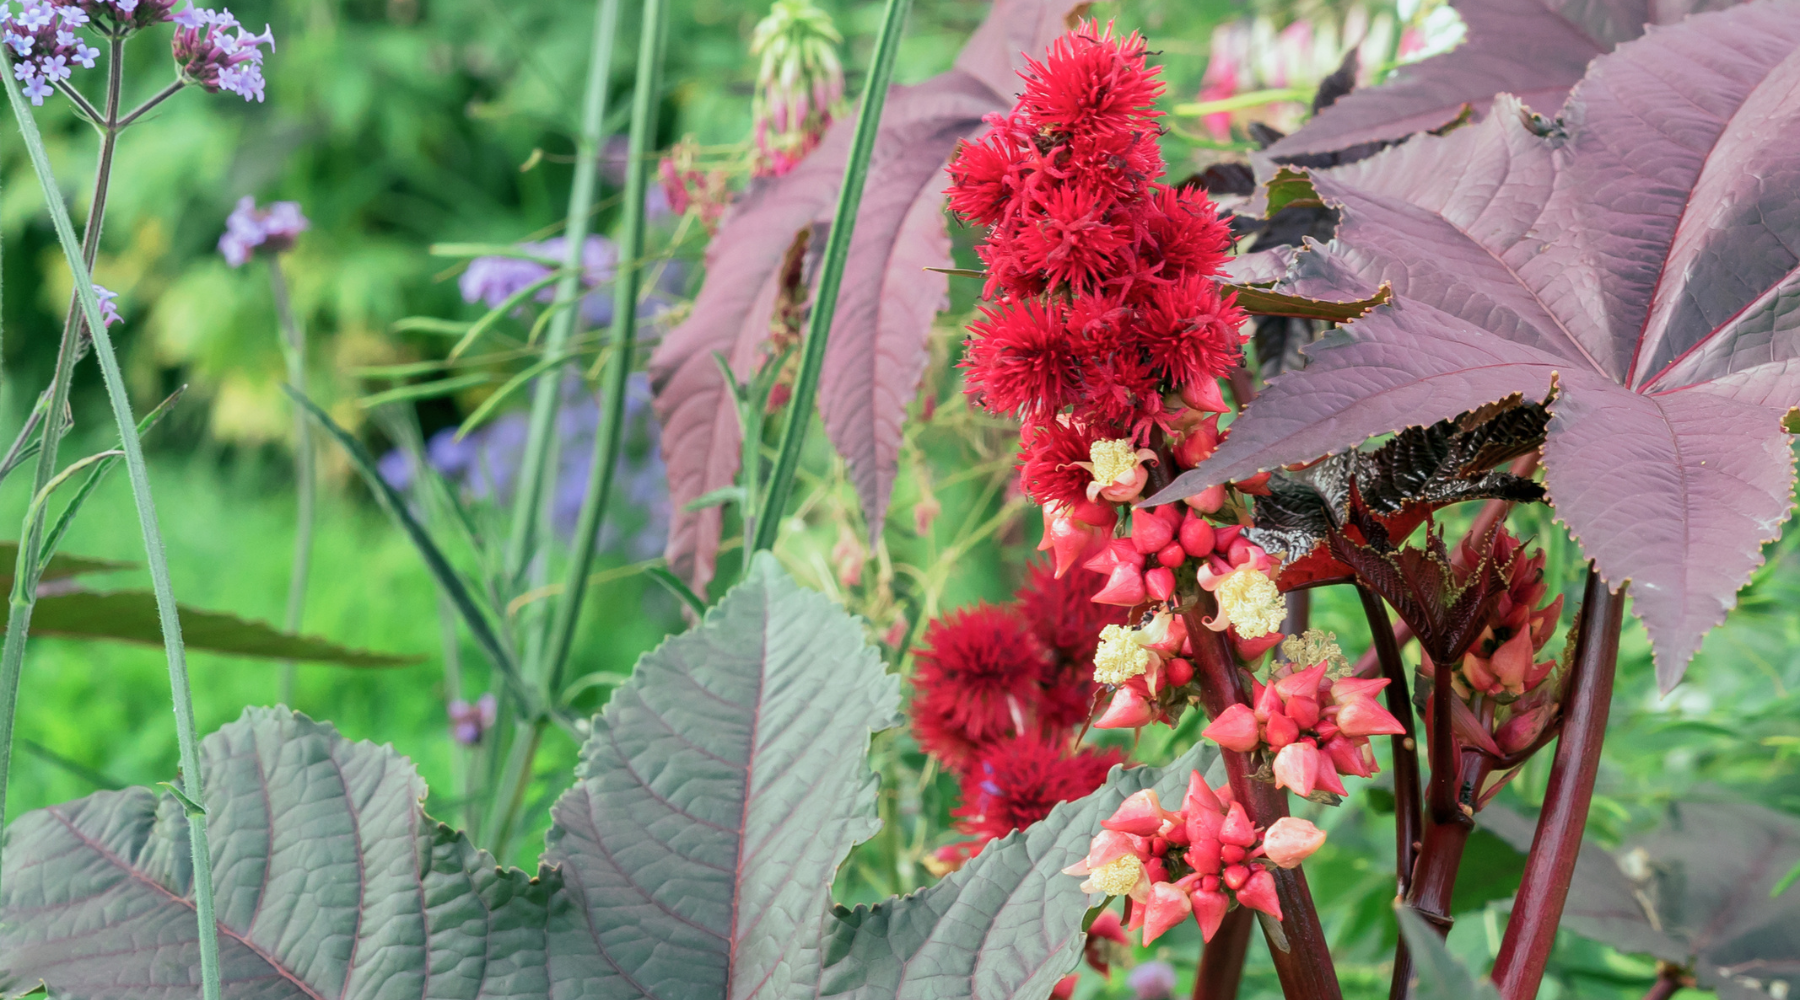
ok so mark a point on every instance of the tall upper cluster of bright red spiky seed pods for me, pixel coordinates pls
(1101, 287)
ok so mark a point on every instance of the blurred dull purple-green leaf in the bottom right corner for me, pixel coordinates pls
(1693, 893)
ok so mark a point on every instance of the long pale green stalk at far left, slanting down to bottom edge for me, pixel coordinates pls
(147, 513)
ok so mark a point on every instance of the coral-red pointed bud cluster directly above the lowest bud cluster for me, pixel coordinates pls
(1315, 728)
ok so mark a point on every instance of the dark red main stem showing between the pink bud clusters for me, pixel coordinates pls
(1306, 963)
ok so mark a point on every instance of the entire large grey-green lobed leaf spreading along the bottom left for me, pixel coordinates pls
(719, 794)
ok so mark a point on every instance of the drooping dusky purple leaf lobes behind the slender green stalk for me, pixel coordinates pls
(886, 305)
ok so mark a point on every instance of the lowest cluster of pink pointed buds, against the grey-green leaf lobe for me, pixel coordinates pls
(1200, 861)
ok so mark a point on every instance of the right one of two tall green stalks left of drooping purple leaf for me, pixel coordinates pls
(611, 431)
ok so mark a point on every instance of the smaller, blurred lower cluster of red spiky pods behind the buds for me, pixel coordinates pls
(1000, 695)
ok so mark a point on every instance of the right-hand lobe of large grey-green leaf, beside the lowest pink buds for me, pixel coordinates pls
(1005, 925)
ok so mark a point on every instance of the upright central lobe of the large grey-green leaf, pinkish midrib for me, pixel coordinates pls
(717, 798)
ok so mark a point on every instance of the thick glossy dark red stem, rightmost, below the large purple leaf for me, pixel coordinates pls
(1538, 907)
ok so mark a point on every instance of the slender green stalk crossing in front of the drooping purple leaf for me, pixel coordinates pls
(831, 276)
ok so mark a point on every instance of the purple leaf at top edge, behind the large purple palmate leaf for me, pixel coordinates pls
(1536, 49)
